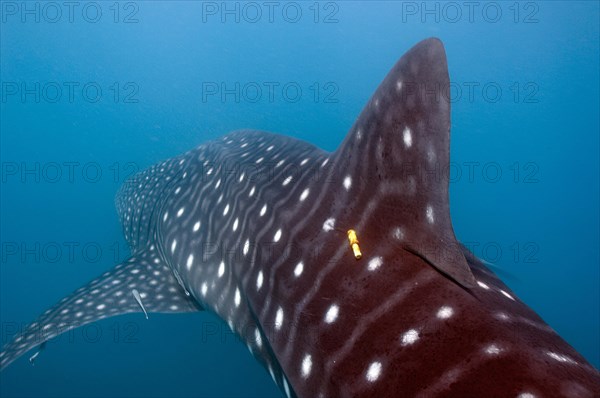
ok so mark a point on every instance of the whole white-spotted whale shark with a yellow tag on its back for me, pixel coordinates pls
(417, 315)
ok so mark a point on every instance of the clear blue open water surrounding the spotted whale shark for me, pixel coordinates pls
(537, 222)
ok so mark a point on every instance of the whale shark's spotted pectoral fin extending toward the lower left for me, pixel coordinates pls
(109, 295)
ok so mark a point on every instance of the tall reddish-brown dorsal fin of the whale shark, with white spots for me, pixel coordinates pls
(399, 147)
